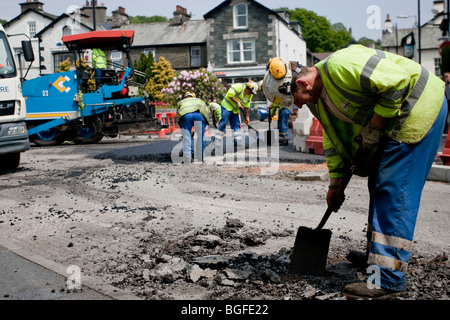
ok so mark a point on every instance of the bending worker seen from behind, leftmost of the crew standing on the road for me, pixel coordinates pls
(192, 112)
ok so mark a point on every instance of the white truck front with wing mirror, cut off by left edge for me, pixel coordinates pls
(13, 131)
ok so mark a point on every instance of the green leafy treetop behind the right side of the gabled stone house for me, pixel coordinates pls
(318, 32)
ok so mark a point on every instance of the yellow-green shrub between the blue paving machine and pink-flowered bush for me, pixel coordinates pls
(163, 74)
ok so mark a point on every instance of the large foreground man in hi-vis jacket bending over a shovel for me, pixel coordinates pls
(395, 111)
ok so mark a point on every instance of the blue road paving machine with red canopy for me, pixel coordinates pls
(71, 106)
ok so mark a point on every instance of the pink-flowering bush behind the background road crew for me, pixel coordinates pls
(201, 82)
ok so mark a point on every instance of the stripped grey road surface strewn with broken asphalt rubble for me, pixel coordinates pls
(160, 231)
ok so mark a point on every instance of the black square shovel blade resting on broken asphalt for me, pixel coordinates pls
(310, 252)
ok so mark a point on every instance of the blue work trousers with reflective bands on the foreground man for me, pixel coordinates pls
(395, 193)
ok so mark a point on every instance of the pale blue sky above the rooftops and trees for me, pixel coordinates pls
(365, 17)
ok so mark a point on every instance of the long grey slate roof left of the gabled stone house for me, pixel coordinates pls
(167, 33)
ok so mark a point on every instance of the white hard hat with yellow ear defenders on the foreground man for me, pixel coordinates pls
(277, 83)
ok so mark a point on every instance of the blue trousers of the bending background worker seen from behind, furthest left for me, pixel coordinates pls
(186, 123)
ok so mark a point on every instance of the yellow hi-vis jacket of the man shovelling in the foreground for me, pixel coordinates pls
(361, 81)
